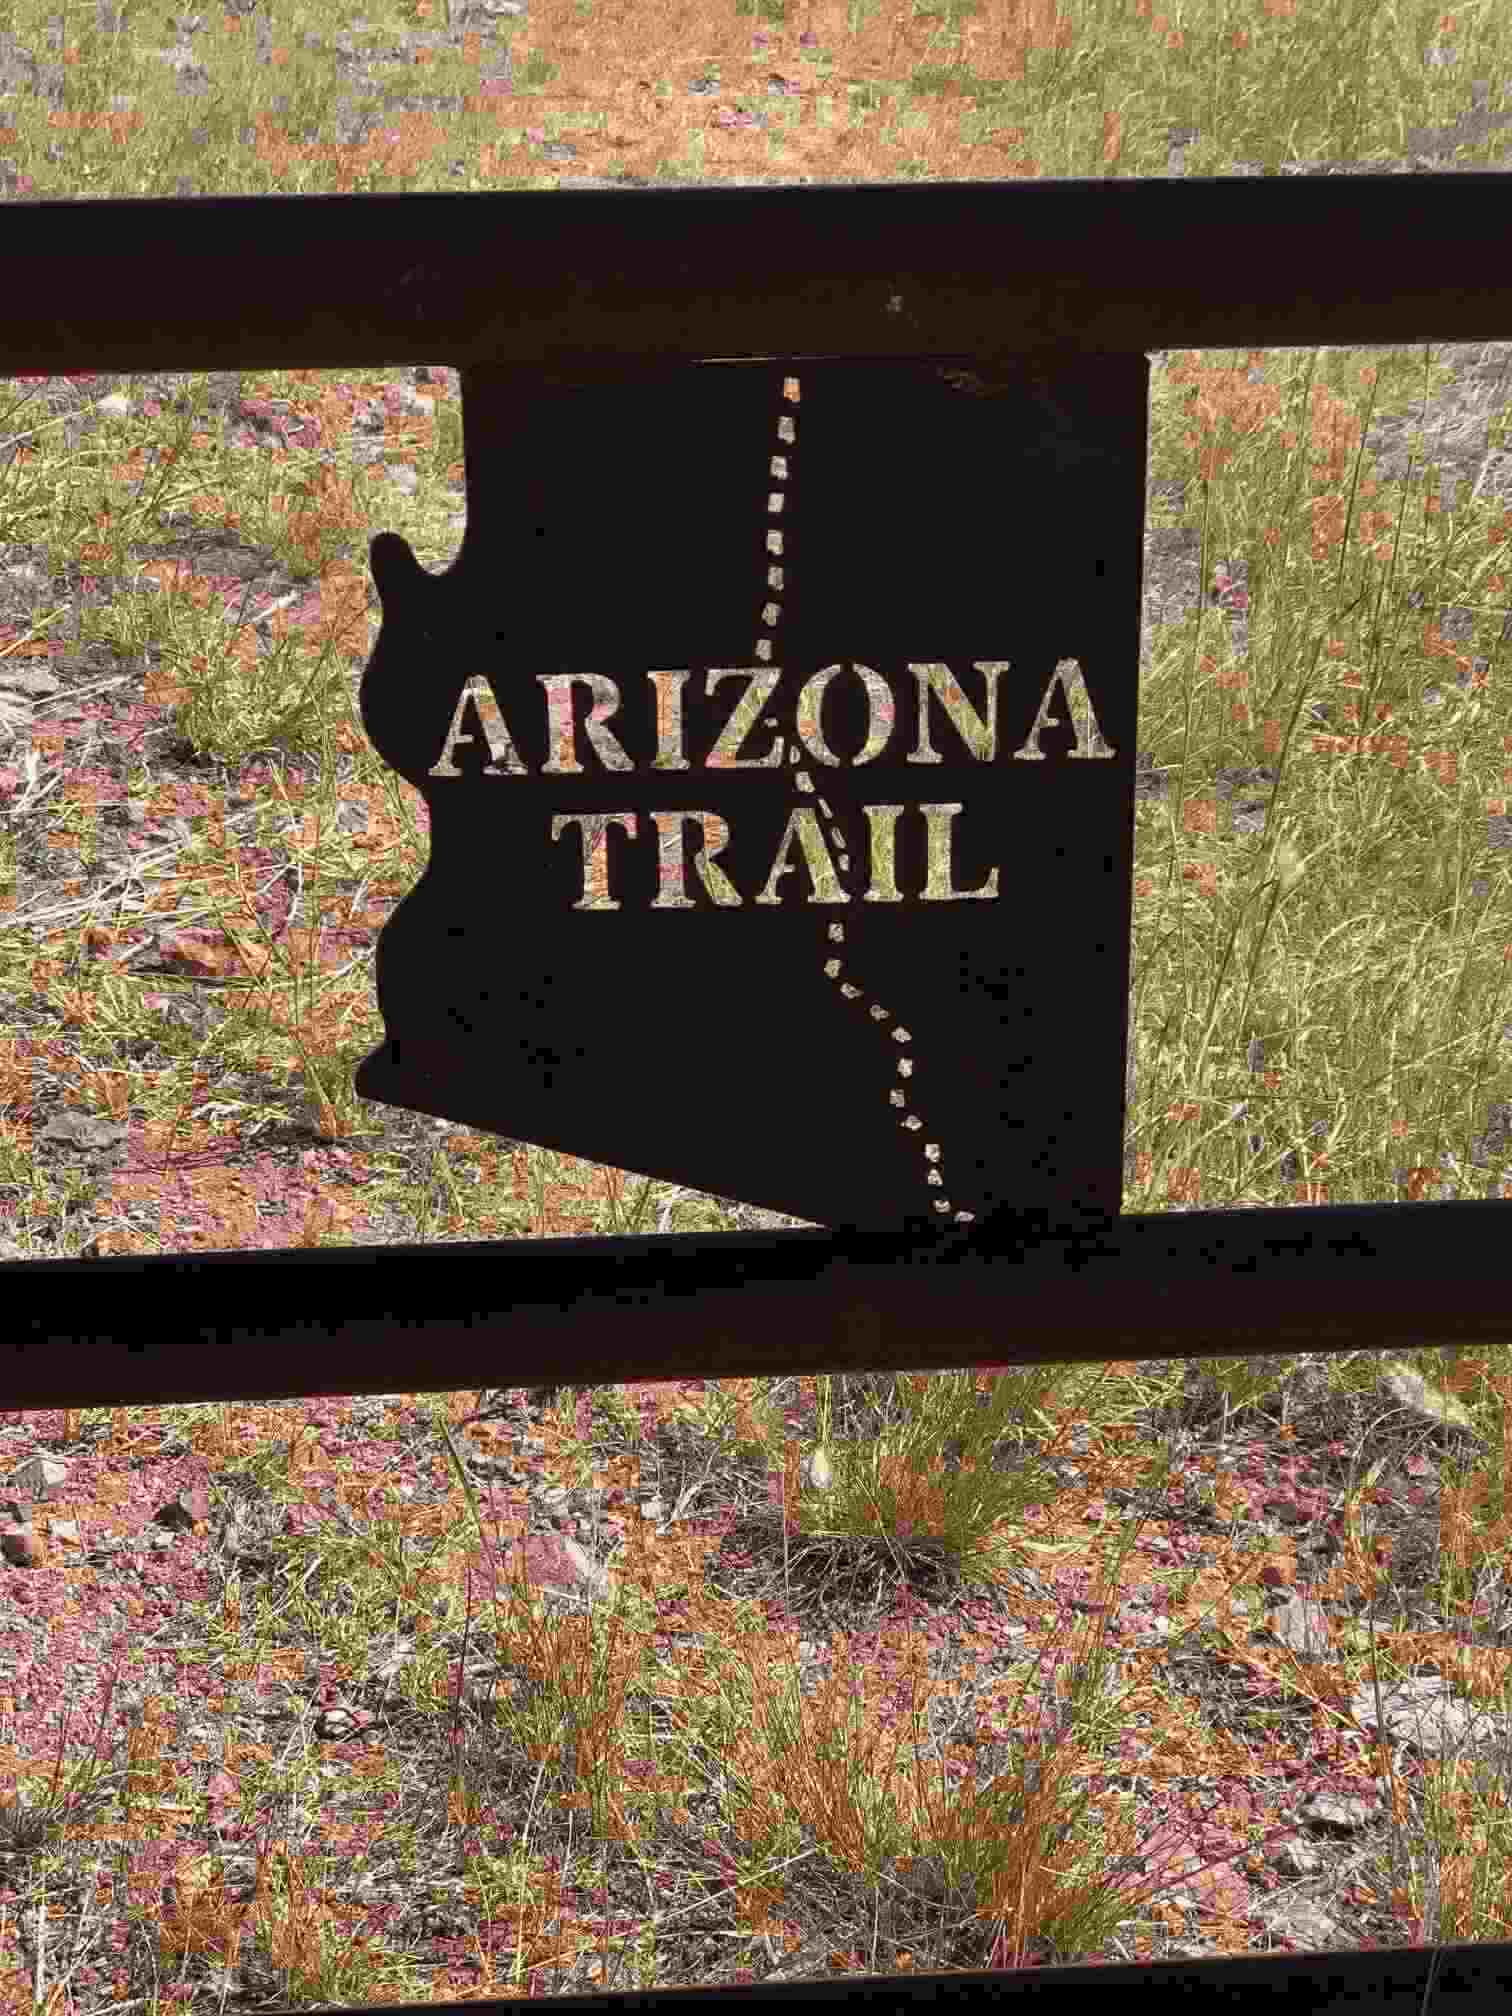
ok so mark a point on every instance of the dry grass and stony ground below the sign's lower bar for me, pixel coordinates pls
(1001, 1767)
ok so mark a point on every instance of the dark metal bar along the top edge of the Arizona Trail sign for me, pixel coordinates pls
(824, 269)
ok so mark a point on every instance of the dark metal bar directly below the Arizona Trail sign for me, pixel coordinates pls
(281, 1326)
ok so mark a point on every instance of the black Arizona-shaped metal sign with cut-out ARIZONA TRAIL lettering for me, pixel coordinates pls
(777, 735)
